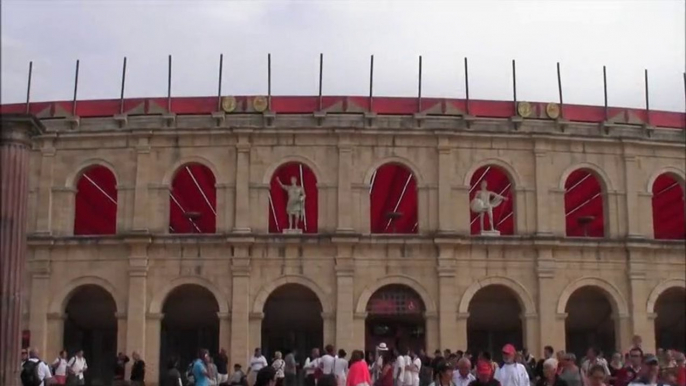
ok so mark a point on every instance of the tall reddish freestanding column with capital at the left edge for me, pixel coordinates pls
(16, 131)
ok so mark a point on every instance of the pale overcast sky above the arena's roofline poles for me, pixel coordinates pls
(627, 36)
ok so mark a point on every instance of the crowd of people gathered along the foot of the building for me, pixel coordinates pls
(383, 366)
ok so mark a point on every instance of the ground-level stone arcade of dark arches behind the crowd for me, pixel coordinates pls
(171, 296)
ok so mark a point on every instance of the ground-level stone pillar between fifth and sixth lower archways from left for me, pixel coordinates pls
(552, 331)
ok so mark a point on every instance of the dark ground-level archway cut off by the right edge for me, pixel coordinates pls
(670, 323)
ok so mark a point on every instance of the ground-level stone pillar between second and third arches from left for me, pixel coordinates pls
(240, 306)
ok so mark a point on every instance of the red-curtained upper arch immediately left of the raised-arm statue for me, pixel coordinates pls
(193, 200)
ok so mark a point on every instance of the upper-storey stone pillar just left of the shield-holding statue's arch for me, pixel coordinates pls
(445, 178)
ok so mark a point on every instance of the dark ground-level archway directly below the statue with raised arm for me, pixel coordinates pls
(292, 321)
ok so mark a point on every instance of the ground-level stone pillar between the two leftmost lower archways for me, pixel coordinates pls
(136, 304)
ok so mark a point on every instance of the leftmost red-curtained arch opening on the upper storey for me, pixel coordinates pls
(96, 202)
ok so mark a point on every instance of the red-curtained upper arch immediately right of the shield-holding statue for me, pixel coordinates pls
(584, 200)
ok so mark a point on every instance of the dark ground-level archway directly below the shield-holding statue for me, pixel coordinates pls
(495, 319)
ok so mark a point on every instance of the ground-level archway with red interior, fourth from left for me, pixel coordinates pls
(395, 316)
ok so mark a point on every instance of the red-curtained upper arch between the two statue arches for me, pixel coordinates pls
(393, 189)
